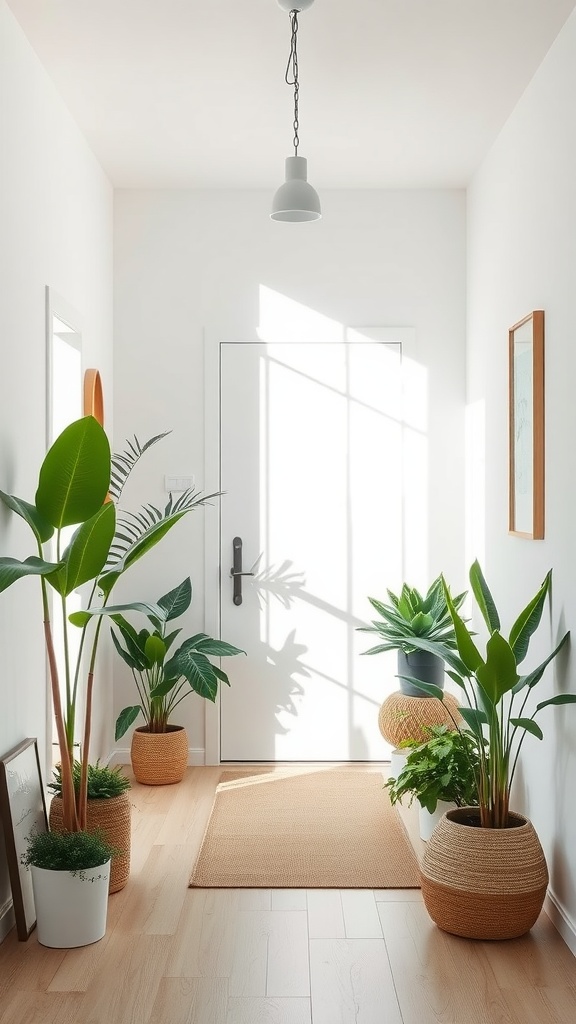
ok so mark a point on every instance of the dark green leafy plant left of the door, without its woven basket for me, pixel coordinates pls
(163, 679)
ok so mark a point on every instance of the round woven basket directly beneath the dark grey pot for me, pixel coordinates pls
(406, 718)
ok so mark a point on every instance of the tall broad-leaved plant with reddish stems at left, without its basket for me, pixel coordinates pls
(76, 483)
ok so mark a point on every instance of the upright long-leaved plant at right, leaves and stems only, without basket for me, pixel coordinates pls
(499, 707)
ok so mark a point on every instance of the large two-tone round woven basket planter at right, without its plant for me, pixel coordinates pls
(484, 883)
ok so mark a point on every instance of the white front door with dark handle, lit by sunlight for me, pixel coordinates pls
(312, 440)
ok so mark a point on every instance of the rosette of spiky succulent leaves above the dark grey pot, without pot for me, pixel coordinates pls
(414, 616)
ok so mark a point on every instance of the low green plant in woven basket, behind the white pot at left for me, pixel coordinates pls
(109, 813)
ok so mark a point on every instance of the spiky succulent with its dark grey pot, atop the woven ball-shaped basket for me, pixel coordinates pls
(410, 617)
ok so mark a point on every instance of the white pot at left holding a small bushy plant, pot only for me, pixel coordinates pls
(71, 910)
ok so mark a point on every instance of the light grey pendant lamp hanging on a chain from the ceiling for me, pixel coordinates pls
(296, 200)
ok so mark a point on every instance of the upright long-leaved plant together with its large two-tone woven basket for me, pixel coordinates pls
(484, 873)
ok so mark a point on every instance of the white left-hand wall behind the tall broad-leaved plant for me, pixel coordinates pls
(56, 229)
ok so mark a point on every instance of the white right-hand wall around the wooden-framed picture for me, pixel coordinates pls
(522, 257)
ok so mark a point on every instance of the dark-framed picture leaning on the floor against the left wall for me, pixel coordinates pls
(23, 812)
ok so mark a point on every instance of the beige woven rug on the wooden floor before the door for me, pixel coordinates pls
(306, 829)
